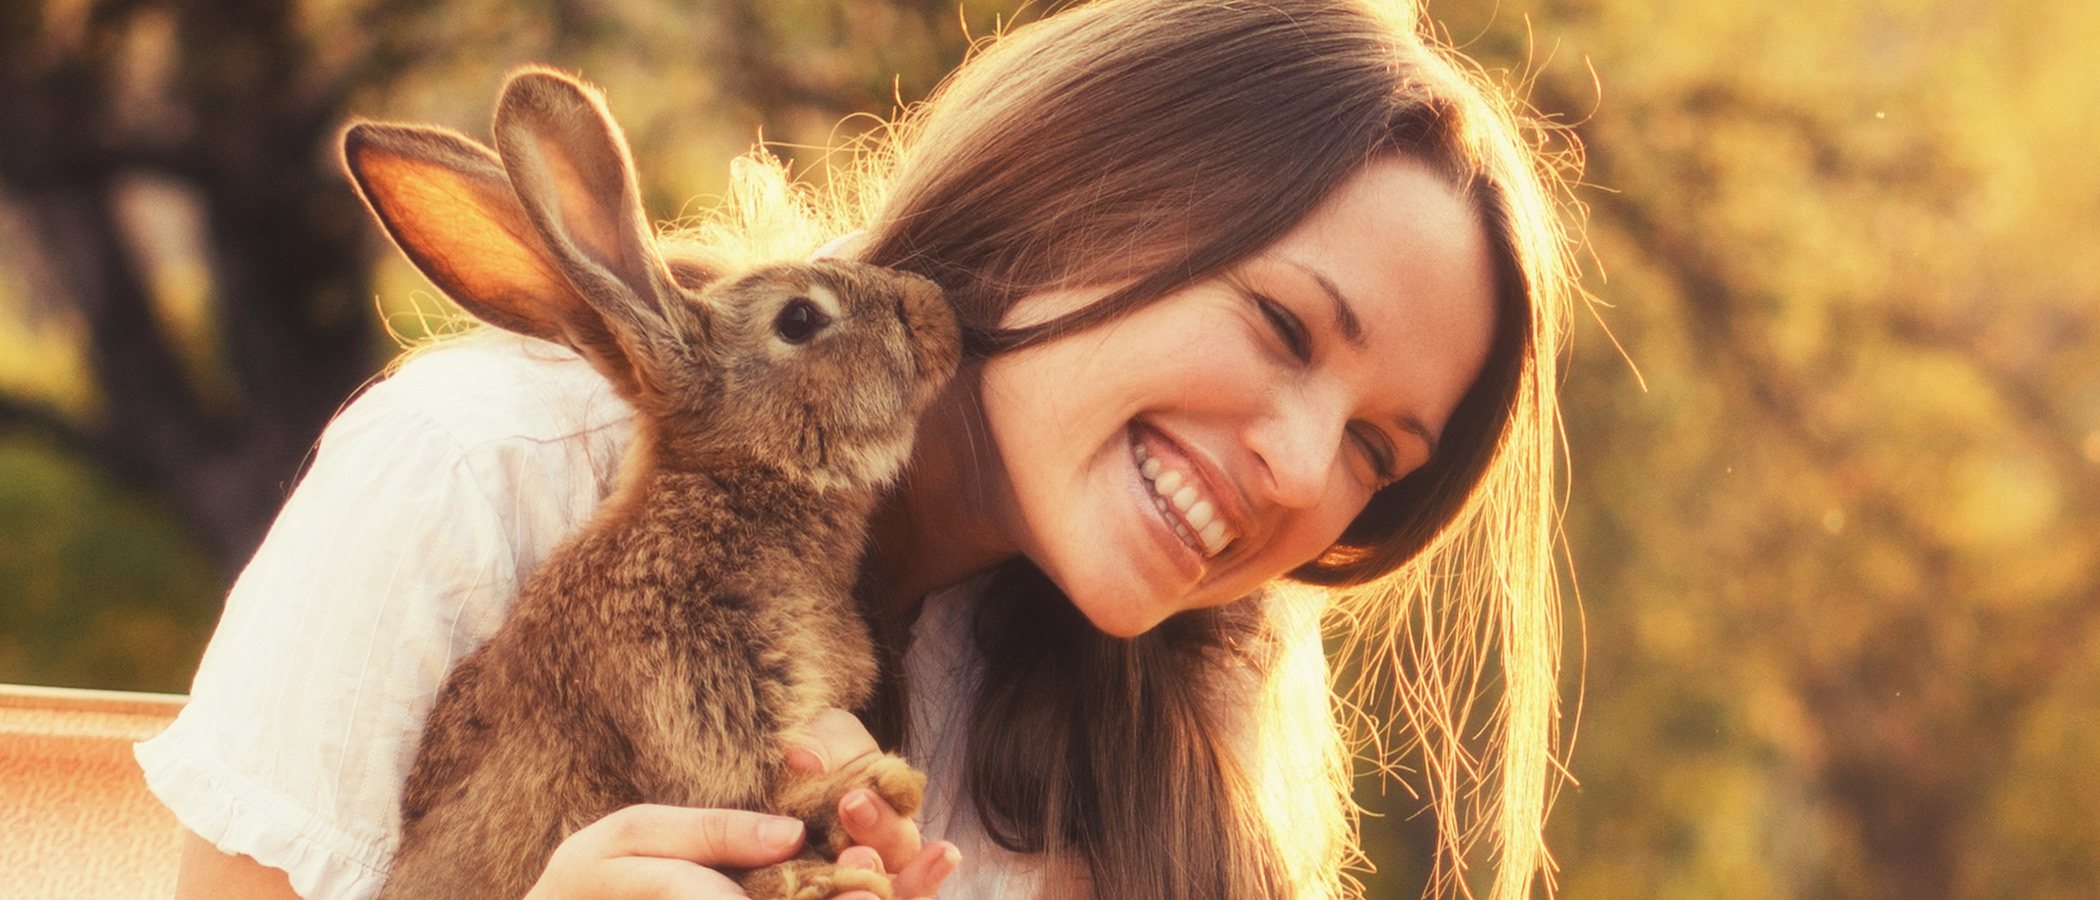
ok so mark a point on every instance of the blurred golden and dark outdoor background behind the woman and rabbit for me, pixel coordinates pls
(1834, 423)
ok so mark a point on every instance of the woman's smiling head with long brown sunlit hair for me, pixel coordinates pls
(1305, 270)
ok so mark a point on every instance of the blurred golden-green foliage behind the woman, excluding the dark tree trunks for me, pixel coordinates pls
(1836, 519)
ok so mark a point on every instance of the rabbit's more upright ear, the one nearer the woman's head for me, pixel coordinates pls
(574, 177)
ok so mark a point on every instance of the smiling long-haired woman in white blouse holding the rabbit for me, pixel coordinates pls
(1259, 295)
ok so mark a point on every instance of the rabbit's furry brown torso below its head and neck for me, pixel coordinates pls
(694, 660)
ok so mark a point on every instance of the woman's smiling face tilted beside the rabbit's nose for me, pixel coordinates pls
(1225, 435)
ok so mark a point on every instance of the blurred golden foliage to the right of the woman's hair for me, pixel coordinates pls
(1841, 557)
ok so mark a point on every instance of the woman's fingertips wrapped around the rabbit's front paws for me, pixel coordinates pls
(885, 840)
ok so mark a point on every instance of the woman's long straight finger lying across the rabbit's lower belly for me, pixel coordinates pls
(713, 838)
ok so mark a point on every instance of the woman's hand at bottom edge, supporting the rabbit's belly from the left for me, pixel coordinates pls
(669, 853)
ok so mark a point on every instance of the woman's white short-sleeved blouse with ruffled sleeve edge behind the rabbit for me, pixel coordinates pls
(432, 498)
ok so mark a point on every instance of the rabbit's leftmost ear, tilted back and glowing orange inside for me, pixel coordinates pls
(453, 211)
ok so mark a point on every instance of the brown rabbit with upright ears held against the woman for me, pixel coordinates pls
(705, 612)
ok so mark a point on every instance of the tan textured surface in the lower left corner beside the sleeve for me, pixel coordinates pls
(75, 815)
